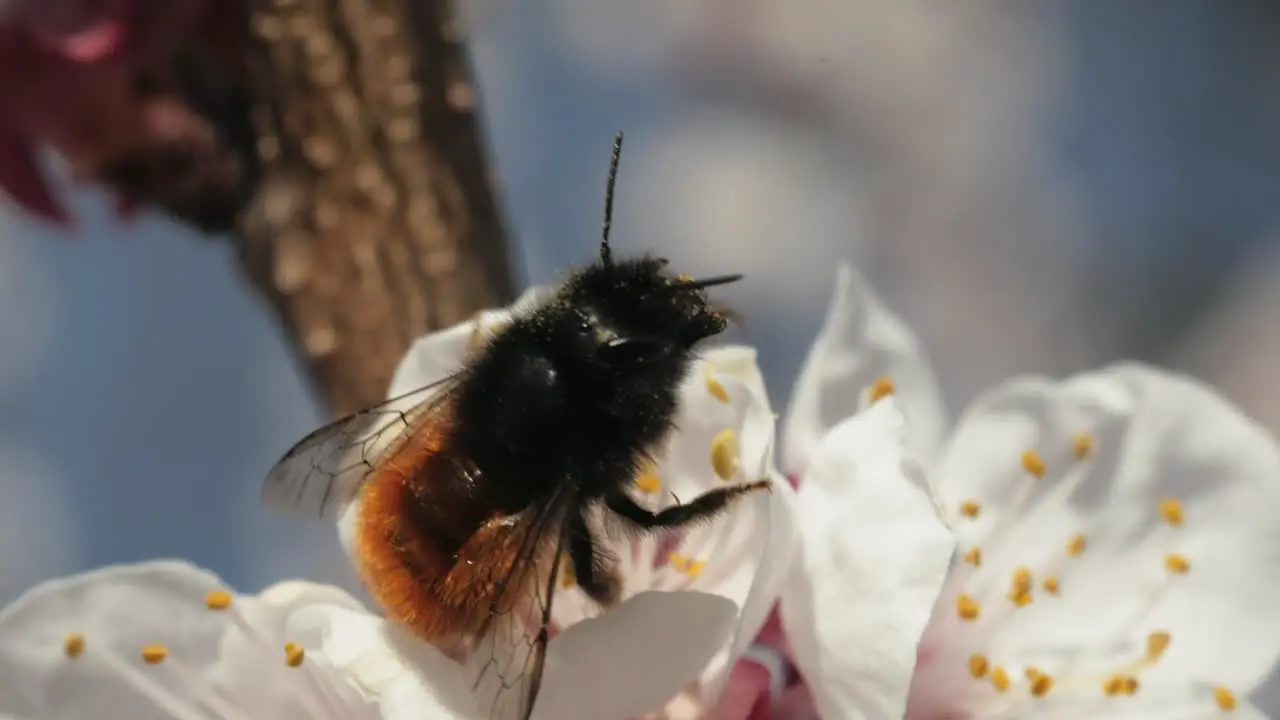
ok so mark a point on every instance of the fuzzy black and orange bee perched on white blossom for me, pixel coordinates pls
(473, 493)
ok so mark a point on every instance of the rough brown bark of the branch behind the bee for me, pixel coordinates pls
(373, 218)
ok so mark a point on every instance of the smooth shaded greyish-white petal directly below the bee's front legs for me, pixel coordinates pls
(636, 658)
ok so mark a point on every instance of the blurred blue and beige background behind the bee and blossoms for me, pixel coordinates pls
(1035, 186)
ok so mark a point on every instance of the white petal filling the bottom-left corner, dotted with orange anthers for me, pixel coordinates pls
(120, 610)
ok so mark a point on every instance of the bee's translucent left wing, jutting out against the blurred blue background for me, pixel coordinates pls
(322, 473)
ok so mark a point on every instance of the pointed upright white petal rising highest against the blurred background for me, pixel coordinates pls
(860, 343)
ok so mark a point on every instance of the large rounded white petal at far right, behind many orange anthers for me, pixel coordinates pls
(1155, 436)
